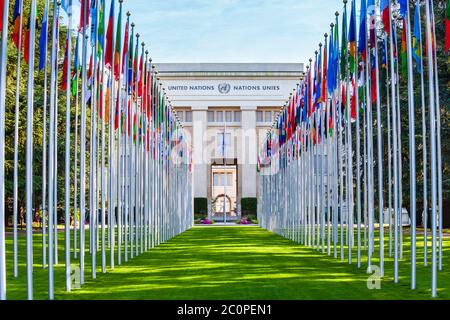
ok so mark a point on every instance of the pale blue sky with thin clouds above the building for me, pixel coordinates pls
(232, 30)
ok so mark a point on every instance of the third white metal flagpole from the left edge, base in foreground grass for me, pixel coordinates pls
(29, 153)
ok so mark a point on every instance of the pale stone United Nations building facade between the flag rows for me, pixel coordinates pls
(226, 111)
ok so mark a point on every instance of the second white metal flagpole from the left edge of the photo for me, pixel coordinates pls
(16, 143)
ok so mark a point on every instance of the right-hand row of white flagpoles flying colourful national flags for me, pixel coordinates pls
(314, 184)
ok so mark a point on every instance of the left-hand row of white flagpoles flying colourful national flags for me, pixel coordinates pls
(139, 169)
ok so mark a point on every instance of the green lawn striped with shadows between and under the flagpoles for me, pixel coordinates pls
(230, 263)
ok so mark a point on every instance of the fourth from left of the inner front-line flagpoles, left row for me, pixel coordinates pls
(68, 145)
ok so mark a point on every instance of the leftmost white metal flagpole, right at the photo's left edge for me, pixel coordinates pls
(4, 58)
